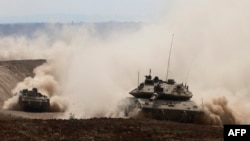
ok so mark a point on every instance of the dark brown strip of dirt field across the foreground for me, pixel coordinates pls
(106, 129)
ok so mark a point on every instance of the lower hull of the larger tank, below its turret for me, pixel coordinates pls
(180, 111)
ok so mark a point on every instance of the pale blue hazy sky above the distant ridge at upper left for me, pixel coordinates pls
(12, 11)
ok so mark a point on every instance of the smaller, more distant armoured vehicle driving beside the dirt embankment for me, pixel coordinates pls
(32, 100)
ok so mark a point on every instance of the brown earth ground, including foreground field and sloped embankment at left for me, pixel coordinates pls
(18, 125)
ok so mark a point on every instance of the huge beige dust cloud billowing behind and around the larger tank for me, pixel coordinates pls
(210, 53)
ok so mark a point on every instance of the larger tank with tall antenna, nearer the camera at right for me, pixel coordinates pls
(165, 100)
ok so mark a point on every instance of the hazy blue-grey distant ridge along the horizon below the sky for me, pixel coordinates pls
(28, 29)
